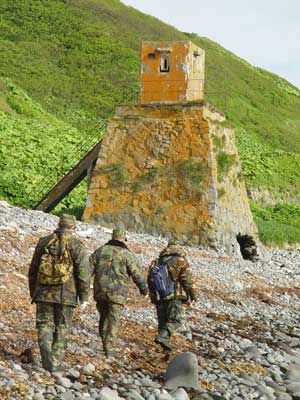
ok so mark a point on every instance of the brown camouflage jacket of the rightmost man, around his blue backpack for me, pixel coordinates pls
(180, 272)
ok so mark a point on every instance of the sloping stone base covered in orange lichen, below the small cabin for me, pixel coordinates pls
(170, 170)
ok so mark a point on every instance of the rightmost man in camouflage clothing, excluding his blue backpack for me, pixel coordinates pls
(169, 309)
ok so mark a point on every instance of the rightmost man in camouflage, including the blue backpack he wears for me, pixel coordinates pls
(170, 283)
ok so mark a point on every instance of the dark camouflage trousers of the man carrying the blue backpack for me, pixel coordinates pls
(169, 315)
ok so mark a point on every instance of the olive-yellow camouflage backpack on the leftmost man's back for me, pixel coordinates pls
(56, 266)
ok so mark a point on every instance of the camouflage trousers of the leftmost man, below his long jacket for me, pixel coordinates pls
(53, 322)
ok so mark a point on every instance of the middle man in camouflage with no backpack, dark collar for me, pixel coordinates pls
(114, 265)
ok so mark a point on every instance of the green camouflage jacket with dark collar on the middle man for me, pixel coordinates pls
(113, 266)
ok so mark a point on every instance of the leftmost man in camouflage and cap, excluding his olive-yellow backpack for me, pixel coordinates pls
(55, 303)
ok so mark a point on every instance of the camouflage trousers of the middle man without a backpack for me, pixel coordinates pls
(110, 314)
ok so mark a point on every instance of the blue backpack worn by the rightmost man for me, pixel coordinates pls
(159, 279)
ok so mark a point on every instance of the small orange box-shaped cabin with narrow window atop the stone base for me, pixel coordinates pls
(171, 72)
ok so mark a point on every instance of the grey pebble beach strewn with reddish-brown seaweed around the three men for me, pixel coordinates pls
(245, 326)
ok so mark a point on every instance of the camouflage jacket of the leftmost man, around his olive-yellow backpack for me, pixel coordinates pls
(75, 288)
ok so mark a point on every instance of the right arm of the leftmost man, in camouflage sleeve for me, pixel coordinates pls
(83, 269)
